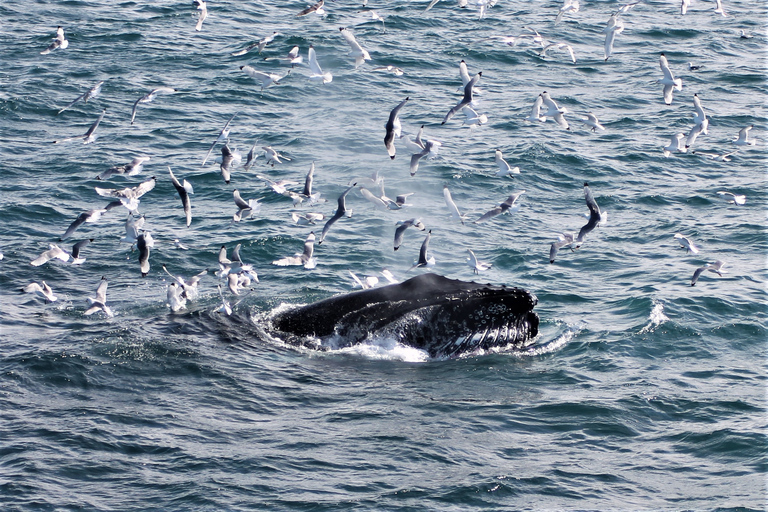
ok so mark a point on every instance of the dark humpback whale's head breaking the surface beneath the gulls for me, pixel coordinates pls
(445, 317)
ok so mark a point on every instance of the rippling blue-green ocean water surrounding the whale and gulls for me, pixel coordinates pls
(640, 392)
